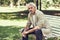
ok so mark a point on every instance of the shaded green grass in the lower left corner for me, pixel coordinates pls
(9, 33)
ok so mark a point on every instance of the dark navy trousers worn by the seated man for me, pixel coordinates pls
(37, 33)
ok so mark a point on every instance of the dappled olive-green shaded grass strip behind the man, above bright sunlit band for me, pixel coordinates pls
(12, 16)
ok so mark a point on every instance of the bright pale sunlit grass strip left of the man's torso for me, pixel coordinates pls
(13, 23)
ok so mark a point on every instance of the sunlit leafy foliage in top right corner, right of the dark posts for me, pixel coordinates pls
(50, 4)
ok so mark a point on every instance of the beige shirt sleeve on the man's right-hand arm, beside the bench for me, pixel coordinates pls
(41, 19)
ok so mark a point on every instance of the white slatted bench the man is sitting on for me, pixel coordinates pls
(55, 26)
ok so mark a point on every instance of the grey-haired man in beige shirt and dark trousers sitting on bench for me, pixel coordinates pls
(37, 20)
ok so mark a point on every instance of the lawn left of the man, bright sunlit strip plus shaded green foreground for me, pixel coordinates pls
(9, 29)
